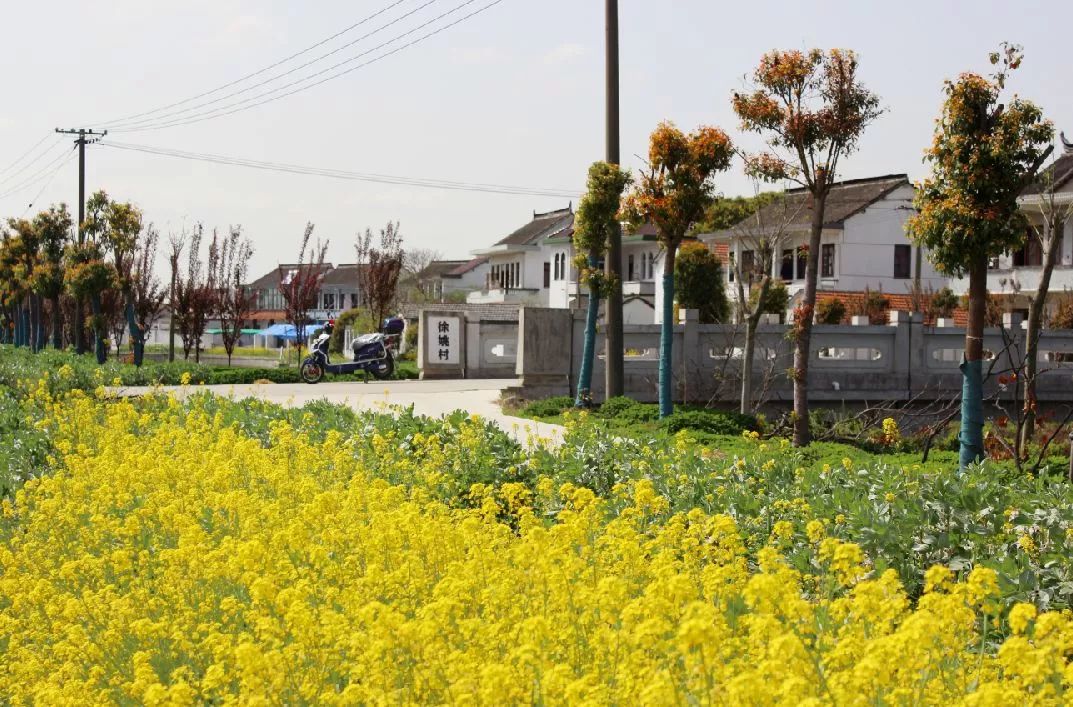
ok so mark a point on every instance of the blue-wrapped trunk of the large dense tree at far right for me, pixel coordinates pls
(973, 382)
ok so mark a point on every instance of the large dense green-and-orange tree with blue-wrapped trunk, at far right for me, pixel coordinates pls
(983, 155)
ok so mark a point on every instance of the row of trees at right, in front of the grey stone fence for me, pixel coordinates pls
(812, 110)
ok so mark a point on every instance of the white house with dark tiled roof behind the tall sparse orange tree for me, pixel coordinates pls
(863, 244)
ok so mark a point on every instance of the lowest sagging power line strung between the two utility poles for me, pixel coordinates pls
(343, 174)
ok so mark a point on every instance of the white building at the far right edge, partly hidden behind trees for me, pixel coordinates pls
(1016, 277)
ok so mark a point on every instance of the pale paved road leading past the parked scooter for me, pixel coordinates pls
(433, 399)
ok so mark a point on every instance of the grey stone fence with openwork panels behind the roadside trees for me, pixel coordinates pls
(900, 361)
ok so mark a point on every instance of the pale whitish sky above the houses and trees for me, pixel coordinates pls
(513, 96)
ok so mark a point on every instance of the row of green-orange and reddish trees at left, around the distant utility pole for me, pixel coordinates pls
(98, 282)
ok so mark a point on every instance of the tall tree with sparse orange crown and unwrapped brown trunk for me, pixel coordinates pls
(813, 110)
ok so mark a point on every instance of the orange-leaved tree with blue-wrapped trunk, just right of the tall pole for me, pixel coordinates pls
(674, 195)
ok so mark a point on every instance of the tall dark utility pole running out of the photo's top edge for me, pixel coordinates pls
(613, 267)
